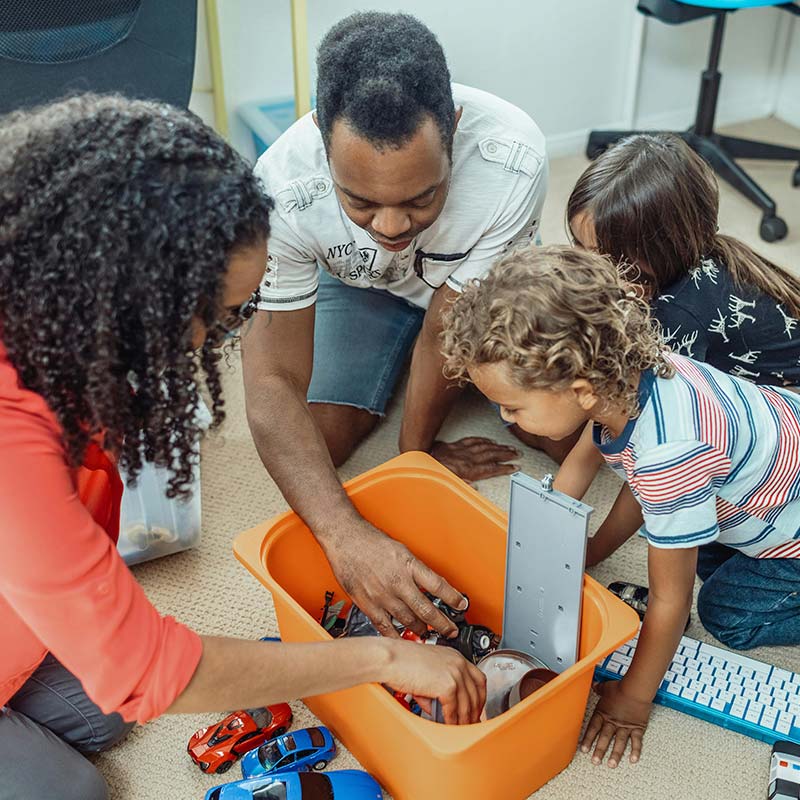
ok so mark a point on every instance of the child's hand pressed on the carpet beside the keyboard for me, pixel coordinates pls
(617, 716)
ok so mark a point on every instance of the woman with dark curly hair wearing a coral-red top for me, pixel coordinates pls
(132, 241)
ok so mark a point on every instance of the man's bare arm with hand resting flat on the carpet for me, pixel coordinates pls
(430, 398)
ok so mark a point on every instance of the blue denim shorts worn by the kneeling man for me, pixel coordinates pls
(362, 340)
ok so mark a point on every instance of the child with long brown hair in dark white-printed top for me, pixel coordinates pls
(652, 204)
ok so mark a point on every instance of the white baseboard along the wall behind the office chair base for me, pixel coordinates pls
(574, 142)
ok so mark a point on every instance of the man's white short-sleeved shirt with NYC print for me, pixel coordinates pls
(497, 189)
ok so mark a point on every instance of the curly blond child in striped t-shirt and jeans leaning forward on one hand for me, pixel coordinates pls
(558, 339)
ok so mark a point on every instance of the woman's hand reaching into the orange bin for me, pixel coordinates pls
(439, 673)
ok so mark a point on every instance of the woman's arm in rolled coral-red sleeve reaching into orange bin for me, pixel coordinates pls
(62, 576)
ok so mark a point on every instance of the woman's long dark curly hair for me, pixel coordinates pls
(117, 221)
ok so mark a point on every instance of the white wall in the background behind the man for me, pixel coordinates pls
(572, 65)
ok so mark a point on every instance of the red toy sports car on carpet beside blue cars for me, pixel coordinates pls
(216, 748)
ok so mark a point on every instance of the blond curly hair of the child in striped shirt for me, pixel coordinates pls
(556, 315)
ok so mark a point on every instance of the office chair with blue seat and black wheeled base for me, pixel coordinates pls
(720, 151)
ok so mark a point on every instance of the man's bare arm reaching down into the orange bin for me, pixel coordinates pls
(381, 575)
